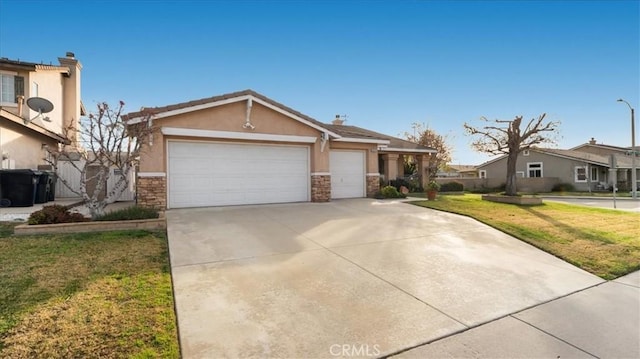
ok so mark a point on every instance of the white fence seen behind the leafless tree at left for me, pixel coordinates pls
(67, 171)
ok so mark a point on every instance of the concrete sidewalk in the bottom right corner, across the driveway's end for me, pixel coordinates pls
(601, 321)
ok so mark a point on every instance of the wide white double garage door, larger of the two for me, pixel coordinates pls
(205, 174)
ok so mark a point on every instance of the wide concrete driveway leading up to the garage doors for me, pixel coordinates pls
(348, 278)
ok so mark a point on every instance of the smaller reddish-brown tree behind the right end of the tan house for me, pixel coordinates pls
(425, 136)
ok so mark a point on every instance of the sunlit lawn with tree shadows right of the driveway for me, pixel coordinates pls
(601, 241)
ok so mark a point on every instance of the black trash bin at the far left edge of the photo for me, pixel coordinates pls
(19, 187)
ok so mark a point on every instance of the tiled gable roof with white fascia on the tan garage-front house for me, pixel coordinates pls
(338, 132)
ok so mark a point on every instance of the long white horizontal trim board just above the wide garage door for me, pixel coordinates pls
(250, 136)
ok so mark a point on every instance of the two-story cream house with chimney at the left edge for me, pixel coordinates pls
(24, 134)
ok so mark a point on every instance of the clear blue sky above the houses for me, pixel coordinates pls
(384, 64)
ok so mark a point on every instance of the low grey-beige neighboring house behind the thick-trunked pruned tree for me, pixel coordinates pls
(585, 171)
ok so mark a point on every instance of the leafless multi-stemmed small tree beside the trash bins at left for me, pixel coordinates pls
(107, 145)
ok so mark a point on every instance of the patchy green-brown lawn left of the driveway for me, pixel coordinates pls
(104, 295)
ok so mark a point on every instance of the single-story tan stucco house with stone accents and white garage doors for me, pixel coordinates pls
(244, 148)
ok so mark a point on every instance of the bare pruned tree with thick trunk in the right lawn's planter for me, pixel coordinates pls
(506, 138)
